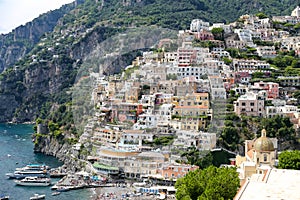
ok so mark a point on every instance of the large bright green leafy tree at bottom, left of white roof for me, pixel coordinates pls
(211, 183)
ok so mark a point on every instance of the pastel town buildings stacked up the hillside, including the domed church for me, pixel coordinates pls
(175, 97)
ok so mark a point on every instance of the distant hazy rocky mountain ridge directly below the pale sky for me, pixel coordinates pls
(16, 44)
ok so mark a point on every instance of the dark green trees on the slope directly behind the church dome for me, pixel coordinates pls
(238, 129)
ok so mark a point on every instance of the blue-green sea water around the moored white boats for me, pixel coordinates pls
(16, 150)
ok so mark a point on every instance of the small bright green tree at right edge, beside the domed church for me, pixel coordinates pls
(289, 160)
